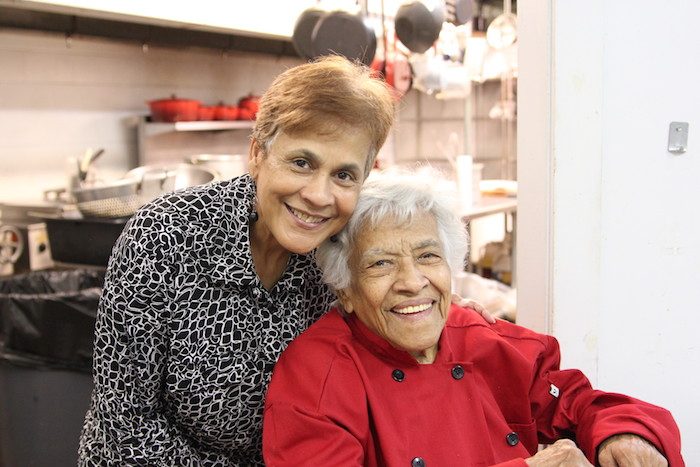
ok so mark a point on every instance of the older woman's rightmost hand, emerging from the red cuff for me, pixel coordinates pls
(629, 450)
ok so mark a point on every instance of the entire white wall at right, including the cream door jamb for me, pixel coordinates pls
(618, 219)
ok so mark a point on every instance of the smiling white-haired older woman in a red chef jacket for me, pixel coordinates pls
(399, 376)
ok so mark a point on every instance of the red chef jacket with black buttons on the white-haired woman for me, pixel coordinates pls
(341, 395)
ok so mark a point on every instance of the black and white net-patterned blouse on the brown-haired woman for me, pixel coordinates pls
(187, 336)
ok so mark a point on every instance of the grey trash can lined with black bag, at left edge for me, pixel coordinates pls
(47, 322)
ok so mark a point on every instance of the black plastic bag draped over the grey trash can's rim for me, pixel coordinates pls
(47, 318)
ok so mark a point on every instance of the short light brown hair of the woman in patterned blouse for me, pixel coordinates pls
(322, 94)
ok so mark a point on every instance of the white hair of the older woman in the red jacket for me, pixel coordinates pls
(402, 195)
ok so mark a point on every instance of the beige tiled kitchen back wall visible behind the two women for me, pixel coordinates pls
(58, 98)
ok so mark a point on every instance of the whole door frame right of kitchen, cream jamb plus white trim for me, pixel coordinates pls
(560, 134)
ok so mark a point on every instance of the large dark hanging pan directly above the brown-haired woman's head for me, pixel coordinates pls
(342, 33)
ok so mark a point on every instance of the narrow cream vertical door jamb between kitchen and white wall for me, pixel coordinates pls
(534, 146)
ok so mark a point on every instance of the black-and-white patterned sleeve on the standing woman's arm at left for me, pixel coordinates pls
(126, 424)
